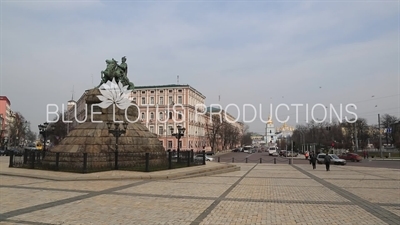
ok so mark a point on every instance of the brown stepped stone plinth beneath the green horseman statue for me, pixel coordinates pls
(94, 137)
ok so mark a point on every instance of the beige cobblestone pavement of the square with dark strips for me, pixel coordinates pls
(258, 194)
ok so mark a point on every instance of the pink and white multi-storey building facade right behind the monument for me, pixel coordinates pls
(164, 107)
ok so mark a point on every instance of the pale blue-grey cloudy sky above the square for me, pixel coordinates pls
(262, 53)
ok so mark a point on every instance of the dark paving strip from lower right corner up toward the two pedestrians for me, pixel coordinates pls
(372, 208)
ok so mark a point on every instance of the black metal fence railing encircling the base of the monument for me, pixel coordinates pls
(95, 162)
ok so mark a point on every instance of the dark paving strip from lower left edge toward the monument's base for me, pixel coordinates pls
(5, 216)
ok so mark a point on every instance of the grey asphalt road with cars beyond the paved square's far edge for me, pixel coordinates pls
(240, 157)
